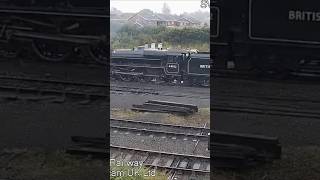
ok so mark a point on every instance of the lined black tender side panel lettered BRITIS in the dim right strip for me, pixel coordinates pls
(288, 21)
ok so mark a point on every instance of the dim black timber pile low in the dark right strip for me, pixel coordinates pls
(234, 150)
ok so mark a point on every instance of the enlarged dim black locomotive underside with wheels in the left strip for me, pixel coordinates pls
(55, 29)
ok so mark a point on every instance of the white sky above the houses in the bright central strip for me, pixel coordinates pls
(176, 6)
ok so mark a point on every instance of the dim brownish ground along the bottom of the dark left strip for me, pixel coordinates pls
(39, 164)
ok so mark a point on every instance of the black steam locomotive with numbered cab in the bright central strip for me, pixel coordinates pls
(163, 66)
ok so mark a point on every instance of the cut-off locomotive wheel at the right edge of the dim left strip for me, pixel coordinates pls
(99, 52)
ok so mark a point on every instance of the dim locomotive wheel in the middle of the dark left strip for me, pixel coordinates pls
(51, 51)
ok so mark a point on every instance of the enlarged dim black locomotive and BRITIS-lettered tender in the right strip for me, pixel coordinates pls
(265, 35)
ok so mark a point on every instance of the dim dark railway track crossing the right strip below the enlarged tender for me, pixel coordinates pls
(302, 107)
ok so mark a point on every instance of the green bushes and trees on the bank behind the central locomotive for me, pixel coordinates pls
(129, 36)
